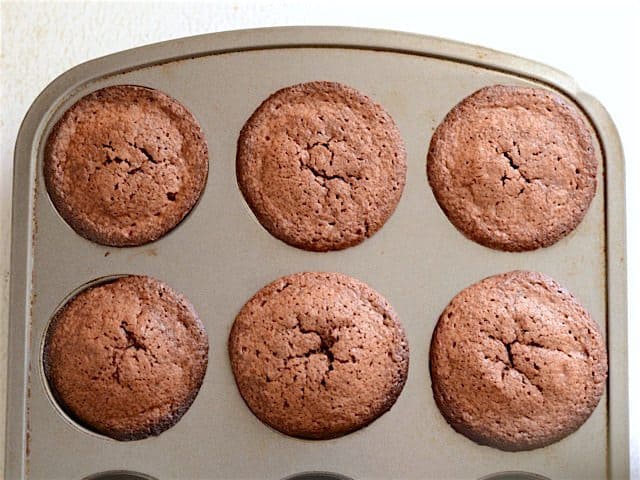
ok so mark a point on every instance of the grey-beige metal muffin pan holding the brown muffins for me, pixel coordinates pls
(220, 255)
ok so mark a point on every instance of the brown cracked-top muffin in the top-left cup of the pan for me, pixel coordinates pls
(125, 164)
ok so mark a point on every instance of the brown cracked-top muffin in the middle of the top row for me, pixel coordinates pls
(321, 165)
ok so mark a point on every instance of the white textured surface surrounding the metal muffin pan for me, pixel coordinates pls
(595, 42)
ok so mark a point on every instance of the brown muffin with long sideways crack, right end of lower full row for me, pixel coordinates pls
(516, 362)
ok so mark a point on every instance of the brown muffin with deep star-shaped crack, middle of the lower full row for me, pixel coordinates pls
(318, 355)
